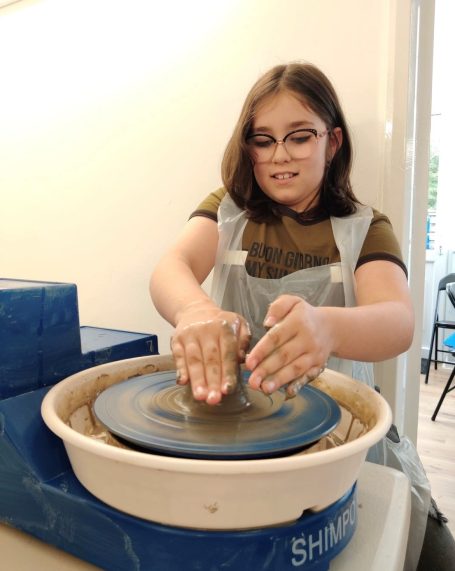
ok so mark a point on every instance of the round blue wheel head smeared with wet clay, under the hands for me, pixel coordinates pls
(153, 413)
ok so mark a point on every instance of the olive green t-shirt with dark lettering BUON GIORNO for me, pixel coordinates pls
(295, 243)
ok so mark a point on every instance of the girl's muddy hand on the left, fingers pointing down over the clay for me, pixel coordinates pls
(208, 346)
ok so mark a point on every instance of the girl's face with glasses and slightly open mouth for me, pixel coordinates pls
(280, 172)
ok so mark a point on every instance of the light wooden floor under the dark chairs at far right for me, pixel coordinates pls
(436, 441)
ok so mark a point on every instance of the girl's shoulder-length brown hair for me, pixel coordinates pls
(313, 89)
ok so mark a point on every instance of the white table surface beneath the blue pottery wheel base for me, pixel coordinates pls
(379, 543)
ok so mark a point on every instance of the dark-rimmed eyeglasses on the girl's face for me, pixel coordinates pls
(299, 144)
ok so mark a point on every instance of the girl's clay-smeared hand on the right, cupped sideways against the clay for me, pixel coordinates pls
(295, 348)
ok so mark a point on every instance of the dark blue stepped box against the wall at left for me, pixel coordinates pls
(41, 340)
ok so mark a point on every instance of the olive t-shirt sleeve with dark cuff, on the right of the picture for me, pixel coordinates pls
(381, 243)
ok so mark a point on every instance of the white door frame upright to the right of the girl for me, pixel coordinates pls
(406, 182)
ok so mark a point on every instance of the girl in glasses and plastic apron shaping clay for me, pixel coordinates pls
(305, 275)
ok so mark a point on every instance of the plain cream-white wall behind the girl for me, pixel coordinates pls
(114, 116)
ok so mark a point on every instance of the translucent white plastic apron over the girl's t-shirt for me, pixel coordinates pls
(332, 285)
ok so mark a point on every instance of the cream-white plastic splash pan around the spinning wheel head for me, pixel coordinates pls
(211, 494)
